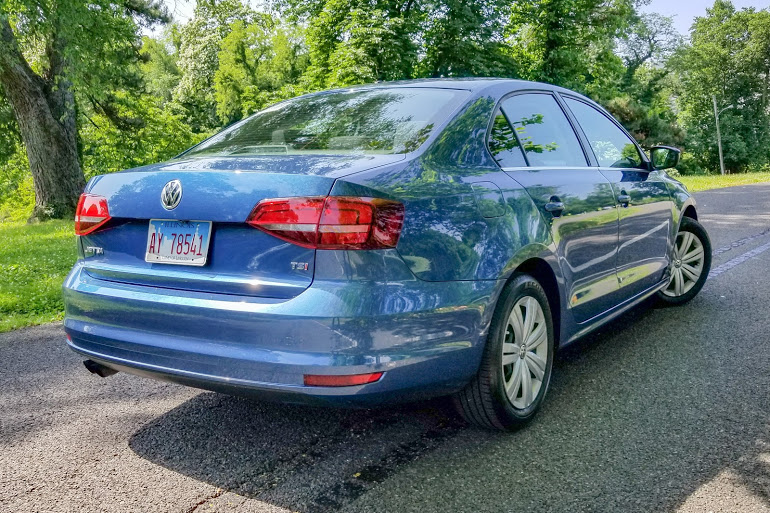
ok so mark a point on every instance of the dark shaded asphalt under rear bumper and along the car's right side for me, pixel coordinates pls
(641, 416)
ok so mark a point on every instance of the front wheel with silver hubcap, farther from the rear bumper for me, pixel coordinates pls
(691, 264)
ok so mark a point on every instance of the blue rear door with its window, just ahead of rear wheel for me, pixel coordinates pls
(576, 199)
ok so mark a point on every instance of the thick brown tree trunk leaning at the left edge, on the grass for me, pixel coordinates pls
(45, 116)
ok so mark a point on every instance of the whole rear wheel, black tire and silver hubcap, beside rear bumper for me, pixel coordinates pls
(485, 401)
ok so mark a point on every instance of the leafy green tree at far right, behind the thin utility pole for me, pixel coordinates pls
(727, 58)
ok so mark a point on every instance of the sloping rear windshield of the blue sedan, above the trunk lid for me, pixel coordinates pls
(381, 121)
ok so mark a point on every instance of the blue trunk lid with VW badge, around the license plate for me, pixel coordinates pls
(223, 191)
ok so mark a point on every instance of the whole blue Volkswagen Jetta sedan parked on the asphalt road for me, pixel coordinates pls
(383, 243)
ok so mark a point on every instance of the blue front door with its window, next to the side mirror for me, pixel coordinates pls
(646, 209)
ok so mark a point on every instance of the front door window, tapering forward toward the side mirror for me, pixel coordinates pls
(612, 147)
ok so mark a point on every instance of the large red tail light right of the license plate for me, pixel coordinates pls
(335, 222)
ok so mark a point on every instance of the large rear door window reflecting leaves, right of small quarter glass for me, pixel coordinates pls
(544, 131)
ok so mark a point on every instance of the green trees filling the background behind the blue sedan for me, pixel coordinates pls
(87, 83)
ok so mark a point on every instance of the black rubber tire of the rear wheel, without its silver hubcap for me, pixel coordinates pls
(484, 400)
